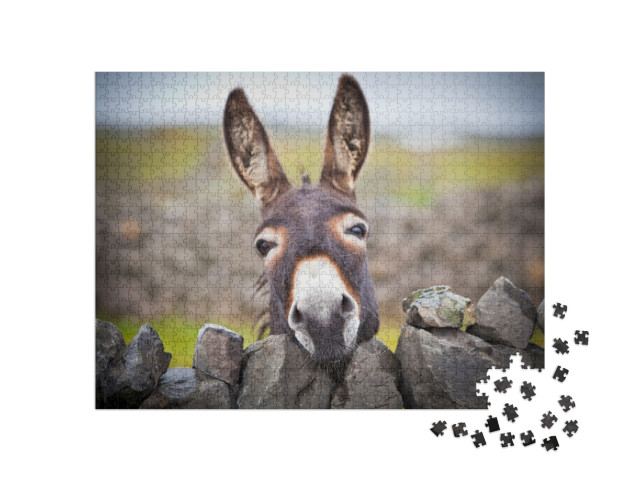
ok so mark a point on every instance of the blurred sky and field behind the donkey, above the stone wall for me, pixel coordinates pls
(453, 189)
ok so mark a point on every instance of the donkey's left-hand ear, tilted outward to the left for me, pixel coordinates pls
(250, 152)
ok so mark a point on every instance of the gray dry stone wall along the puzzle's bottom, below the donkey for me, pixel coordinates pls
(445, 347)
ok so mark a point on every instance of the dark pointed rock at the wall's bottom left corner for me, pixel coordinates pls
(127, 381)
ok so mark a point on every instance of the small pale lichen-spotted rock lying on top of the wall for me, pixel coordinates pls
(436, 306)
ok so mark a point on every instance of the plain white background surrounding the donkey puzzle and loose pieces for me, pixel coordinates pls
(50, 53)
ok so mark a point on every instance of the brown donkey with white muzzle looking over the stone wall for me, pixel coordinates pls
(312, 238)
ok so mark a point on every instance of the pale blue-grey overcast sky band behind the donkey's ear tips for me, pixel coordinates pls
(416, 107)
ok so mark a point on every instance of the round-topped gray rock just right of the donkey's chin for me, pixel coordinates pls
(371, 379)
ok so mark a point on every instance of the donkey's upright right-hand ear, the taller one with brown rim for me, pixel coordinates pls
(347, 137)
